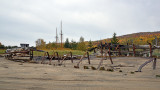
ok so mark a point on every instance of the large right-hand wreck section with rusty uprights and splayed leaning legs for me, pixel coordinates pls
(124, 50)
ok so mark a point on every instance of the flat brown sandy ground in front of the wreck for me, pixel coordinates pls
(29, 76)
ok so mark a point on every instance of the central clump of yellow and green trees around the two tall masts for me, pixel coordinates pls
(80, 45)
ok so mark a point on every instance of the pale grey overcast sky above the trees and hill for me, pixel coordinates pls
(24, 21)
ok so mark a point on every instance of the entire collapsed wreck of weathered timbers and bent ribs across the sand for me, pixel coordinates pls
(106, 50)
